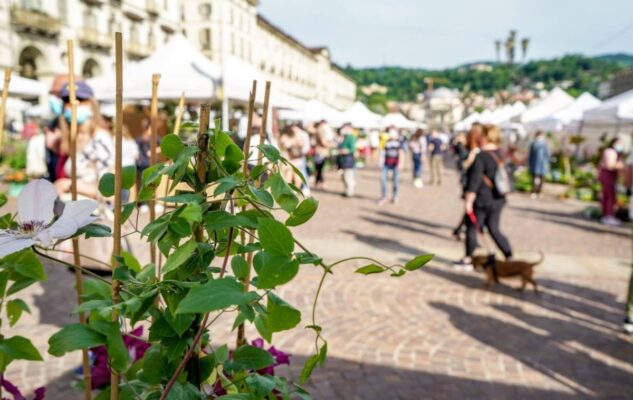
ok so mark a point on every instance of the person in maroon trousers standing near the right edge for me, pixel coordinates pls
(609, 167)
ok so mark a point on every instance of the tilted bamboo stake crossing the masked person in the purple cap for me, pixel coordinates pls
(79, 283)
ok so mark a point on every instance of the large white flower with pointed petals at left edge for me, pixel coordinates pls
(35, 214)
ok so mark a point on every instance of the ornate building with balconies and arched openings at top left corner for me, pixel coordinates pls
(34, 33)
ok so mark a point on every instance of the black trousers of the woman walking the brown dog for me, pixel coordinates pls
(488, 217)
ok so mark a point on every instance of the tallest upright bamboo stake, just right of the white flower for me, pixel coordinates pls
(116, 246)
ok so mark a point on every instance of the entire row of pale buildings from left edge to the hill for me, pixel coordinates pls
(34, 33)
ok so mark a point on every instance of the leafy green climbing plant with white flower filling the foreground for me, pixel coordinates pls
(227, 245)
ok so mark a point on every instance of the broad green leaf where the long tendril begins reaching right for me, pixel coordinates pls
(274, 269)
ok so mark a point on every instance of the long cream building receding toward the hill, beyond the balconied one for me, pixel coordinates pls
(223, 28)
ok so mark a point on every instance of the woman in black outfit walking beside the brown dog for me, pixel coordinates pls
(482, 198)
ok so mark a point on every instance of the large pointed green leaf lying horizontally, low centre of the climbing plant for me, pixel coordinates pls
(214, 295)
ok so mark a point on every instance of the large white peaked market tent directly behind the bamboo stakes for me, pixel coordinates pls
(182, 68)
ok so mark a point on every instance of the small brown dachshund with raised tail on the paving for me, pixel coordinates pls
(495, 269)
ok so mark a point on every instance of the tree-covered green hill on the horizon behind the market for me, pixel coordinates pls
(577, 73)
